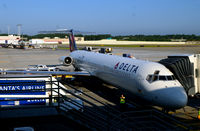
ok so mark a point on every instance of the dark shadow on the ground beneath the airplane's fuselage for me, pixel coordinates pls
(108, 92)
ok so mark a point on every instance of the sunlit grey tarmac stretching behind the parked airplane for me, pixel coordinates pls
(19, 58)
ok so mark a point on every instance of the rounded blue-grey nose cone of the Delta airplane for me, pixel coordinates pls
(172, 98)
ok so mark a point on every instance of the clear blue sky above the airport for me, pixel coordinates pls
(116, 17)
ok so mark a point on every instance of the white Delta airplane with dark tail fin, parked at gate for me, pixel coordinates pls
(149, 80)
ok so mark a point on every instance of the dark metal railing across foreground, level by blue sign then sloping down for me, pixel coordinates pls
(103, 117)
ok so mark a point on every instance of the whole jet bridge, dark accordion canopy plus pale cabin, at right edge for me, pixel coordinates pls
(186, 69)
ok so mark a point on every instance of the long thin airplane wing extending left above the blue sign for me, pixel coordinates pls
(81, 73)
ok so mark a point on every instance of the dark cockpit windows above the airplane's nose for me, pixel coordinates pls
(152, 78)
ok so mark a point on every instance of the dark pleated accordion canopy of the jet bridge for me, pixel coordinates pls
(182, 68)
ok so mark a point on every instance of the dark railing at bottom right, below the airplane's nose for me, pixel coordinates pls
(145, 119)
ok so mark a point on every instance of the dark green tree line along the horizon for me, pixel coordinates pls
(123, 38)
